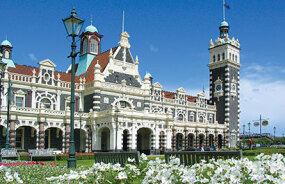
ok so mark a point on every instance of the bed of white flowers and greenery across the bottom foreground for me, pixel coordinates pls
(264, 169)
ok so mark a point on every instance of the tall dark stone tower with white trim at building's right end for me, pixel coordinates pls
(224, 82)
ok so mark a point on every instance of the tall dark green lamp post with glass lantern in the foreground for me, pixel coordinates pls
(73, 27)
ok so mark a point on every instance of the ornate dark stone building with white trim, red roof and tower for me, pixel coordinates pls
(115, 105)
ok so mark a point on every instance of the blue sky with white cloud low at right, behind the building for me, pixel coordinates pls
(171, 40)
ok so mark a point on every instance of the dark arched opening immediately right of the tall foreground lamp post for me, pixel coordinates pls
(80, 140)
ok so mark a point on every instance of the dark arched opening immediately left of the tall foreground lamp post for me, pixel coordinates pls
(53, 138)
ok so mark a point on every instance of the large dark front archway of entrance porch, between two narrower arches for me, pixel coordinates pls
(144, 140)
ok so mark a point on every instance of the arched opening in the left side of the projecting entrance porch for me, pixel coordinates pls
(104, 138)
